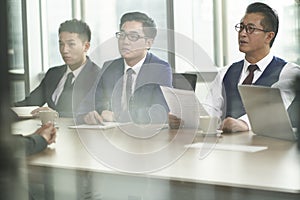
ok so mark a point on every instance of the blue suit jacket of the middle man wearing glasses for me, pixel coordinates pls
(148, 103)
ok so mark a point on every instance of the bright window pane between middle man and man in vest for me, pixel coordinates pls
(194, 41)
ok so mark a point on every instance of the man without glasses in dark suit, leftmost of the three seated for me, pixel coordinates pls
(65, 87)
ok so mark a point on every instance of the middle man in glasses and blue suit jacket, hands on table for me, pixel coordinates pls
(128, 89)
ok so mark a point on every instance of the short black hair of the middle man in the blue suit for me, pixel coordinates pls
(149, 26)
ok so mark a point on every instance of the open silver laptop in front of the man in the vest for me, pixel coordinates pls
(266, 112)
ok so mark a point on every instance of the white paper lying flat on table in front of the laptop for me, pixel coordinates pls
(230, 147)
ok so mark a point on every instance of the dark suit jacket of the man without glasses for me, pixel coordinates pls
(82, 85)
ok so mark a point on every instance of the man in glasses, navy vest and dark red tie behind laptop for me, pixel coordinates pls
(256, 33)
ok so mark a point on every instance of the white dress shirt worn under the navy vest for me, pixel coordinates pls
(215, 102)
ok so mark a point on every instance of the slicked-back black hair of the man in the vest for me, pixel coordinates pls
(270, 21)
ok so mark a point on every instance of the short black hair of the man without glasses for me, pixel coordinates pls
(76, 26)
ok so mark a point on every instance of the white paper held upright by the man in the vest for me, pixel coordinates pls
(184, 104)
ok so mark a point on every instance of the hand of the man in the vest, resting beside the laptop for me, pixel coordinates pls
(231, 125)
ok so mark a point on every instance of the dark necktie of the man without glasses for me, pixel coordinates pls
(64, 103)
